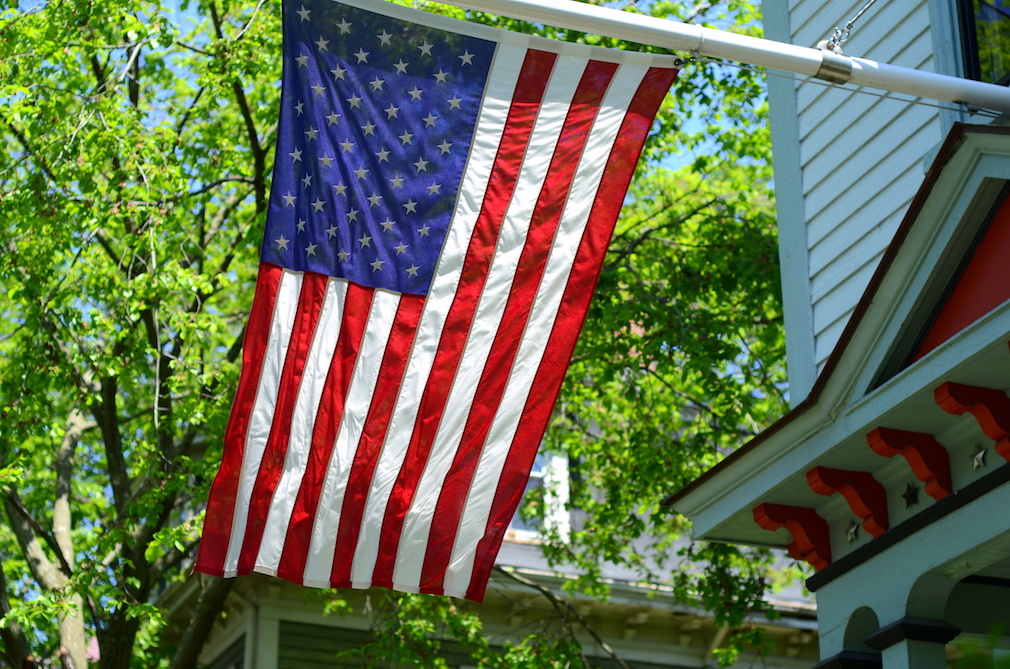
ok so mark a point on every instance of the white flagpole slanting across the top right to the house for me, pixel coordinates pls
(752, 51)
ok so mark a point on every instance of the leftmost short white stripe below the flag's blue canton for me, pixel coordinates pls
(263, 411)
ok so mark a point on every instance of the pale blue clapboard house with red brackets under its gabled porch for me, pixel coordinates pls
(888, 475)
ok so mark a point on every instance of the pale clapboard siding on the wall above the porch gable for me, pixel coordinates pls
(861, 156)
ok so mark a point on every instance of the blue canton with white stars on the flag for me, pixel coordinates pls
(377, 119)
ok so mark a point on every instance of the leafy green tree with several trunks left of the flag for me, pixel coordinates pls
(130, 209)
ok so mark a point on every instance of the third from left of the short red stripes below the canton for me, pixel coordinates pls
(357, 304)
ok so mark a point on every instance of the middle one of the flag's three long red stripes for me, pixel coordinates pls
(491, 389)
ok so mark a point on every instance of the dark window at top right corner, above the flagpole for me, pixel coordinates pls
(986, 40)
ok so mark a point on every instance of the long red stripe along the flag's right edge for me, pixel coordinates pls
(574, 308)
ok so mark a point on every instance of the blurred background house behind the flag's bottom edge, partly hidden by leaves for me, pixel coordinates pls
(272, 624)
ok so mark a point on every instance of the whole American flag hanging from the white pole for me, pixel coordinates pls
(443, 200)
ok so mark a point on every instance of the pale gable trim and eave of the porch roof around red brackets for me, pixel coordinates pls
(862, 388)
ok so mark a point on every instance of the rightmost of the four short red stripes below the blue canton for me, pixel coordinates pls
(394, 363)
